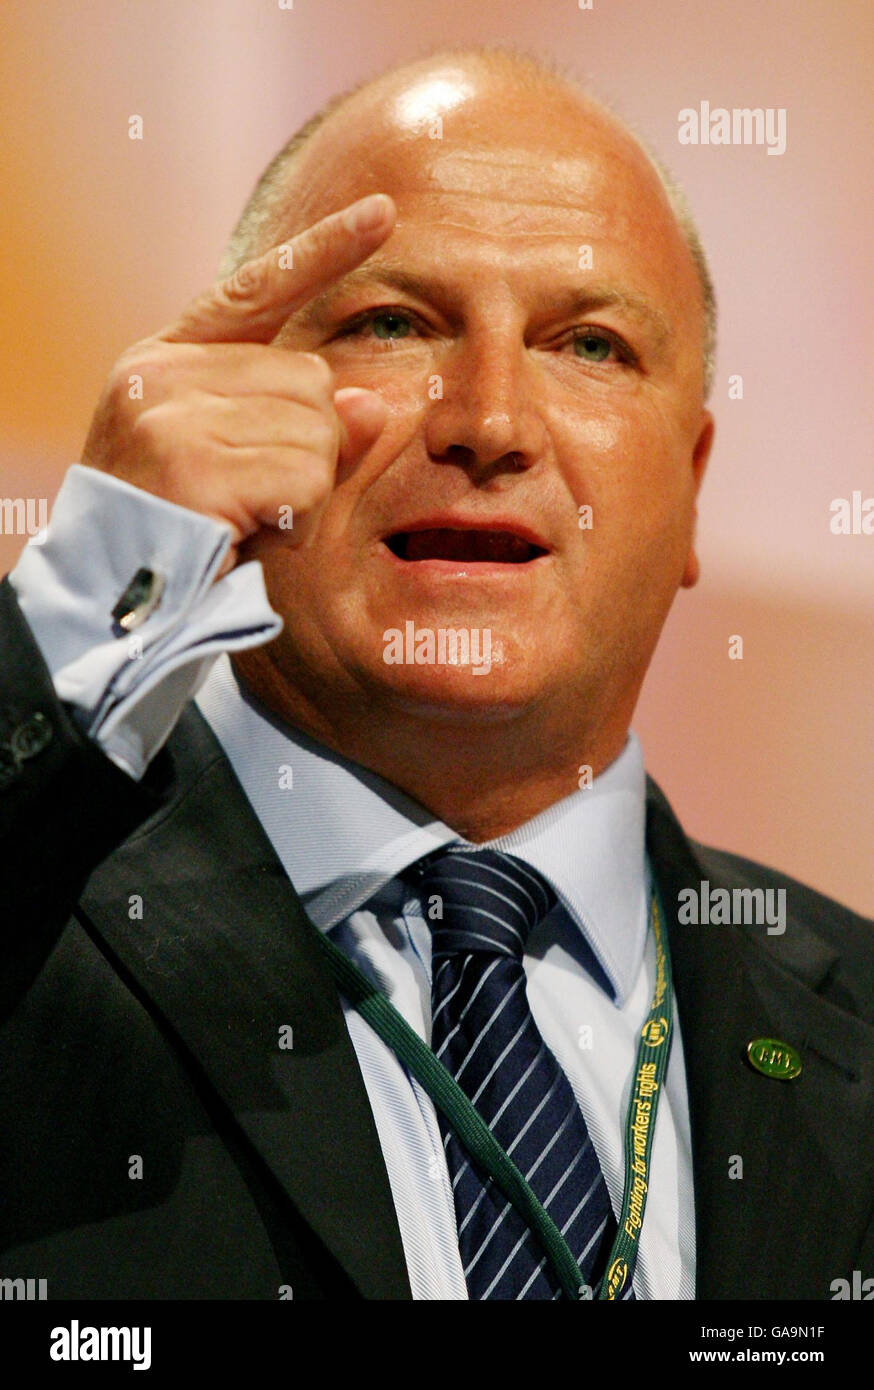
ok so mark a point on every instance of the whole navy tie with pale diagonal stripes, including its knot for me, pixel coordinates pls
(484, 1033)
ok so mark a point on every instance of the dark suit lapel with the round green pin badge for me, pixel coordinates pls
(797, 1217)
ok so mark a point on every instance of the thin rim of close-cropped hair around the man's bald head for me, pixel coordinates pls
(533, 73)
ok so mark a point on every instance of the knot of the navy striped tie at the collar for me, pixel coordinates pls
(487, 901)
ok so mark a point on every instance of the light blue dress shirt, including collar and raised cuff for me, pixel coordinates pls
(344, 835)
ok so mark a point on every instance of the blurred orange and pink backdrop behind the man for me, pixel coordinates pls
(105, 238)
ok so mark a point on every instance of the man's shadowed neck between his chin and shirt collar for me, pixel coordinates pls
(481, 778)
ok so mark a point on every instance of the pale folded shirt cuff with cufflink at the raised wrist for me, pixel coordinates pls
(131, 687)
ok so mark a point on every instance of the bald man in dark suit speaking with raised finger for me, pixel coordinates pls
(452, 400)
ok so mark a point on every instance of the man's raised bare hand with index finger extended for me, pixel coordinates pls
(230, 426)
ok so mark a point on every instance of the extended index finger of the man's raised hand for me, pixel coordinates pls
(254, 302)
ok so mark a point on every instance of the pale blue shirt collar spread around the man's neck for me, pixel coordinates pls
(343, 832)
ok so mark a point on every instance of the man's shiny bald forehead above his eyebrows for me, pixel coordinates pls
(476, 158)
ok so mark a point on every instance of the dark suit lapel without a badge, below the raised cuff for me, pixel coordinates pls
(223, 956)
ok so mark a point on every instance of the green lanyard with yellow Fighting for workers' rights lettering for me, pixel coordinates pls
(476, 1136)
